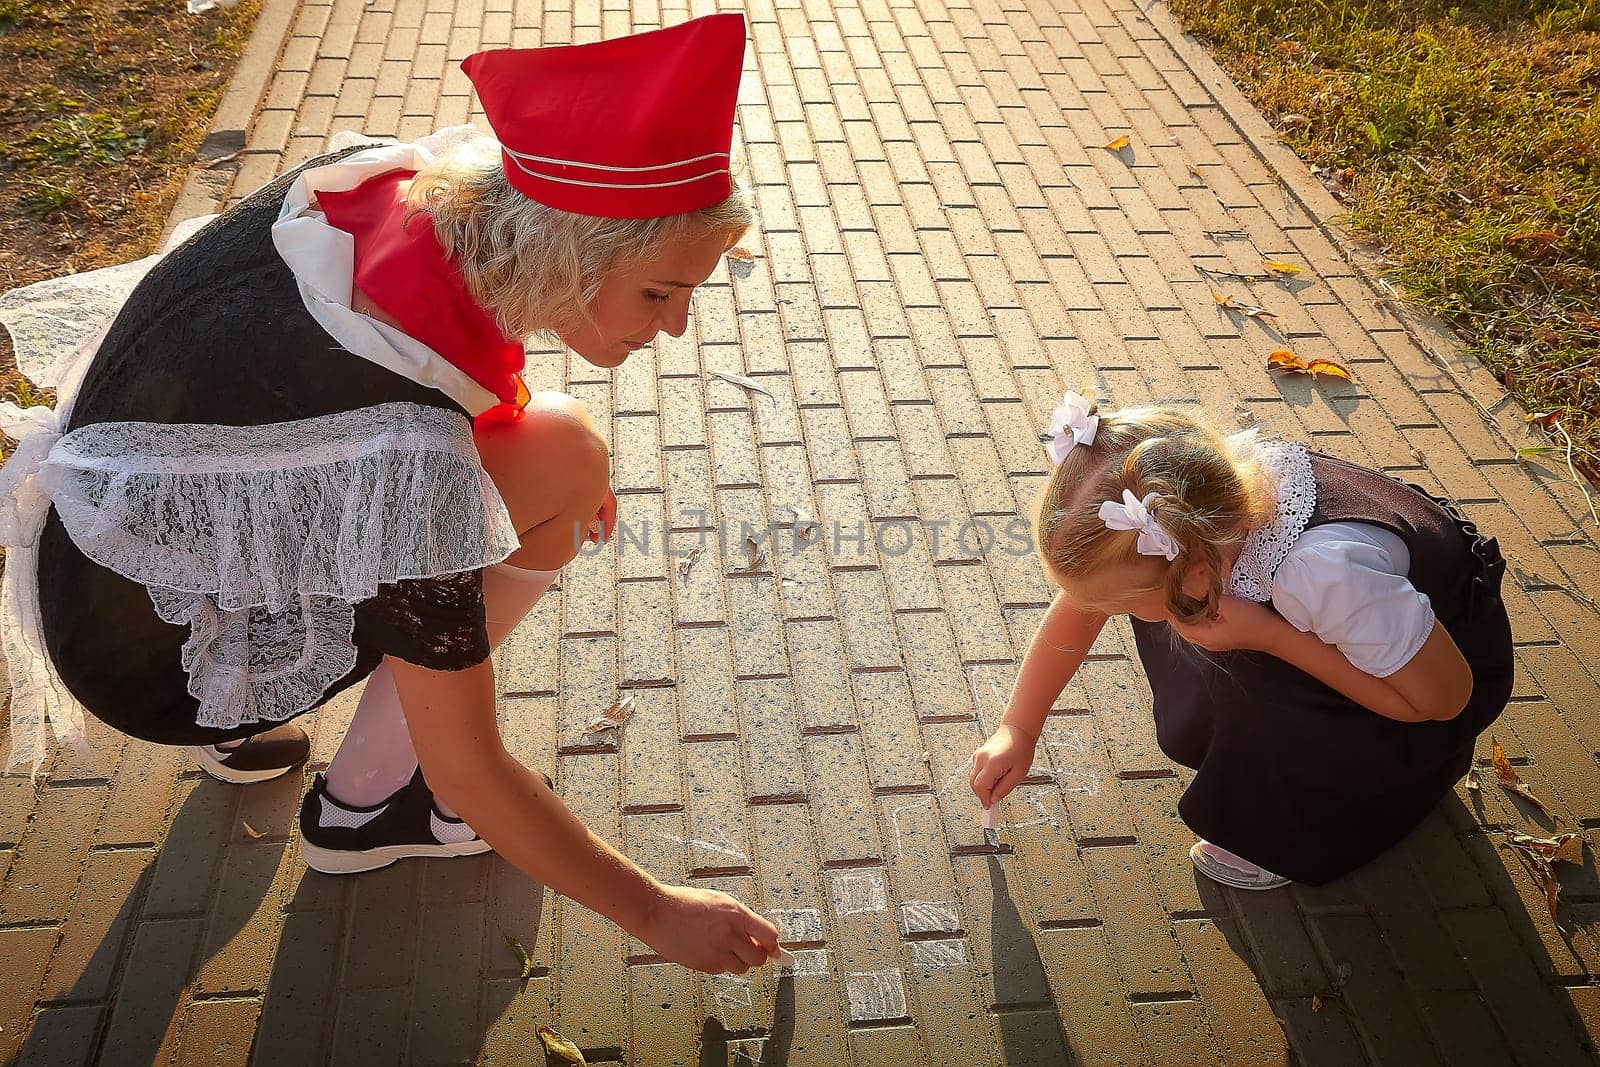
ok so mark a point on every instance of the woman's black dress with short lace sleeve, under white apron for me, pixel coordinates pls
(218, 335)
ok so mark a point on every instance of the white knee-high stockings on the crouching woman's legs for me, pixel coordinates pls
(377, 759)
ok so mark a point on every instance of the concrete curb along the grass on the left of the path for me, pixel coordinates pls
(207, 188)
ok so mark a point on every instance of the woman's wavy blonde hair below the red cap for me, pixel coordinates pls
(538, 270)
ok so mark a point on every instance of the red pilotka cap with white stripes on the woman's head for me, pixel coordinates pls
(628, 129)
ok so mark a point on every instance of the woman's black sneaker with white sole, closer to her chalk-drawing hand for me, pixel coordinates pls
(340, 839)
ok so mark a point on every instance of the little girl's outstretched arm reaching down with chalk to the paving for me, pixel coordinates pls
(1054, 657)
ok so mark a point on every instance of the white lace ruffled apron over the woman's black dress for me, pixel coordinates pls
(265, 538)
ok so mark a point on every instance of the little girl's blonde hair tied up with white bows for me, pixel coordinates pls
(1209, 487)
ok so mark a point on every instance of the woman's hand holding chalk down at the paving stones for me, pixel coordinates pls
(708, 932)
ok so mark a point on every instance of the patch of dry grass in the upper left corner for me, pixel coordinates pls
(105, 106)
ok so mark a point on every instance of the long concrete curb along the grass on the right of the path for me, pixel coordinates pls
(1431, 334)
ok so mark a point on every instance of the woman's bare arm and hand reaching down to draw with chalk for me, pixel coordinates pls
(454, 729)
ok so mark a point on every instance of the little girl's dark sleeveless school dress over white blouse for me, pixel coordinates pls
(1295, 777)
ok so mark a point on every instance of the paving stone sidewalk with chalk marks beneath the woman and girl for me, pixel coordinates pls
(943, 249)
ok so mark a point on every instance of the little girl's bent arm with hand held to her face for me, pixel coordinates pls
(1434, 685)
